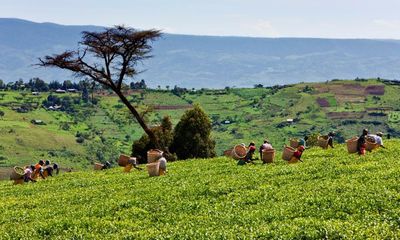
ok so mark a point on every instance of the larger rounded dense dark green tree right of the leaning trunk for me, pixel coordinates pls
(192, 135)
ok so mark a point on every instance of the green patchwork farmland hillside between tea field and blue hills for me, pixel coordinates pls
(237, 115)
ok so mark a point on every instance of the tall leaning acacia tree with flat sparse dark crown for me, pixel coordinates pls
(109, 58)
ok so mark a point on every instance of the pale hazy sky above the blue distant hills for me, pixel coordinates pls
(262, 18)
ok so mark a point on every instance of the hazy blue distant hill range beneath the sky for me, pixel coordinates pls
(205, 61)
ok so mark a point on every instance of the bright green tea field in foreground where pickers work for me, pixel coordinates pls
(331, 195)
